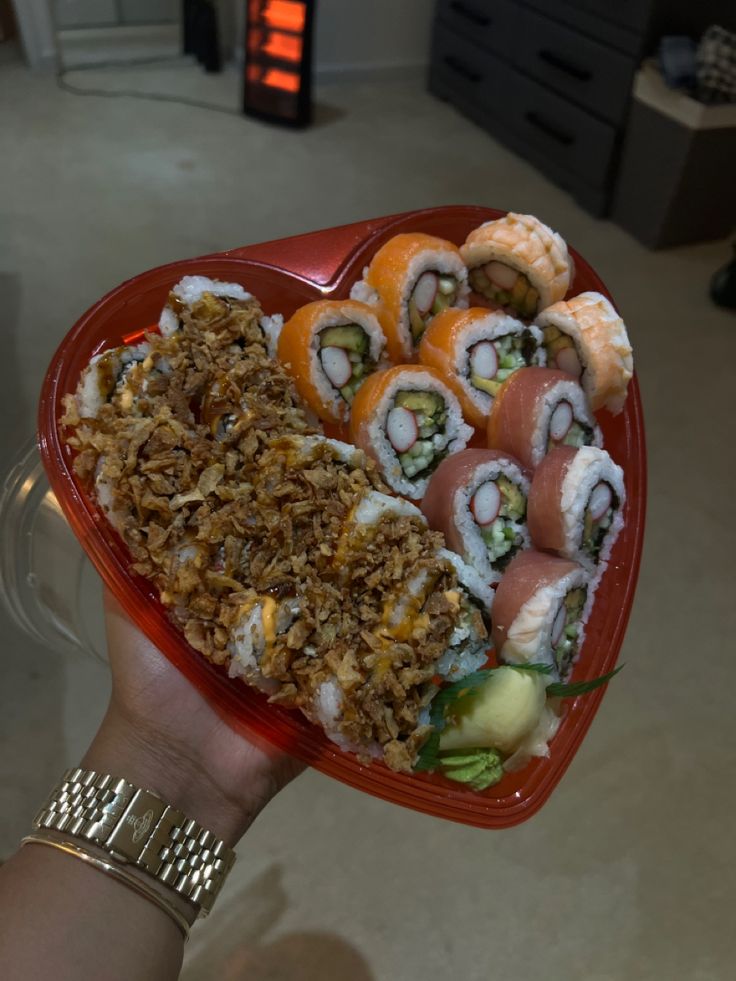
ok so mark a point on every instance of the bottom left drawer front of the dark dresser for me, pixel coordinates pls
(460, 68)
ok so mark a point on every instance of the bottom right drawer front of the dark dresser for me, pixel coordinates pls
(569, 137)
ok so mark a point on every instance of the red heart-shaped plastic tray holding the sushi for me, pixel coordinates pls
(283, 275)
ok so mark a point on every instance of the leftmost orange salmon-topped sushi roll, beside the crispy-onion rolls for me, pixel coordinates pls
(330, 347)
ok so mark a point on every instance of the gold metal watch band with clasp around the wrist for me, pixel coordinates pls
(136, 827)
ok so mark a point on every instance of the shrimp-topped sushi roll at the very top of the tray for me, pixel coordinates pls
(518, 264)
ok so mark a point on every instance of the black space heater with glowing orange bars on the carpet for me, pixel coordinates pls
(278, 60)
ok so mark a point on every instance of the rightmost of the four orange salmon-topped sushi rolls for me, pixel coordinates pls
(475, 351)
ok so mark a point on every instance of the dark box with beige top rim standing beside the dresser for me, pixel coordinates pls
(677, 179)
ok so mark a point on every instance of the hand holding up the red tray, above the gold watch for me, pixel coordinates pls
(160, 733)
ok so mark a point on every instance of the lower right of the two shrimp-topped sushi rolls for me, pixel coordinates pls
(585, 337)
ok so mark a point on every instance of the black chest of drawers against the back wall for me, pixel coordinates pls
(552, 79)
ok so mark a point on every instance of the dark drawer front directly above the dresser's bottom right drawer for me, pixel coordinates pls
(585, 71)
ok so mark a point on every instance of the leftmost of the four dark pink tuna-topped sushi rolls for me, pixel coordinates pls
(478, 499)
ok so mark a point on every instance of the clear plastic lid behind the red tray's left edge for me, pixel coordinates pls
(49, 586)
